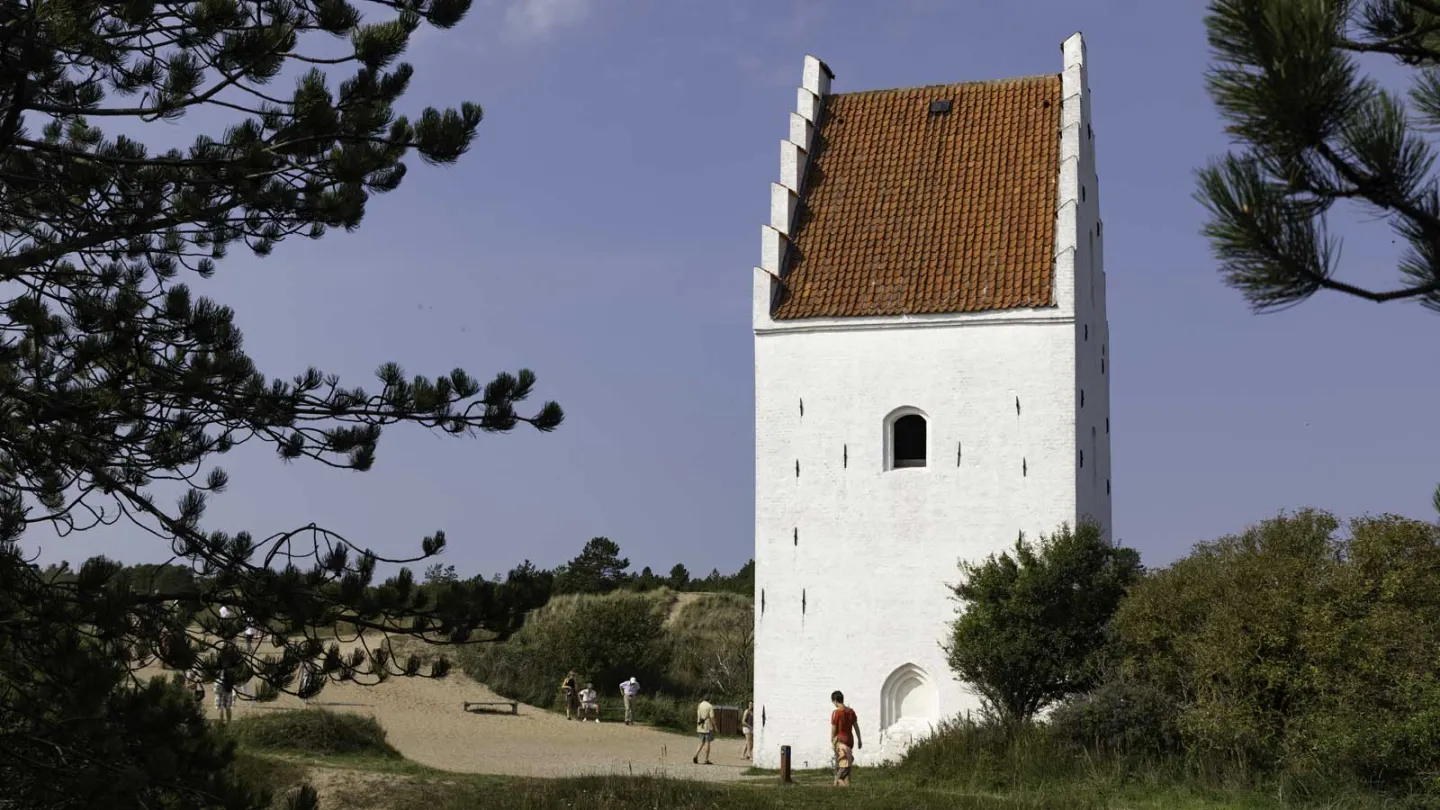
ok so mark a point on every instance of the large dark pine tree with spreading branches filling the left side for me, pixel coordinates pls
(120, 386)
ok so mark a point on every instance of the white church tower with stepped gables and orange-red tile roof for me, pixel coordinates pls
(931, 380)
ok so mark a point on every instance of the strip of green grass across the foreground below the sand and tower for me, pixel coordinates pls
(961, 770)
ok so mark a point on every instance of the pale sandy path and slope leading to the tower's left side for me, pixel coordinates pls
(426, 721)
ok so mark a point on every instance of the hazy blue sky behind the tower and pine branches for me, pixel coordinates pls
(604, 228)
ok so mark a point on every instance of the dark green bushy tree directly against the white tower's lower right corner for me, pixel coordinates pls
(1032, 625)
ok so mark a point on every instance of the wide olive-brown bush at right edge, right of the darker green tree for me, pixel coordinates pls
(1294, 646)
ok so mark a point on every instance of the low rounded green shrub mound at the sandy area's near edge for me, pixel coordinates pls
(313, 731)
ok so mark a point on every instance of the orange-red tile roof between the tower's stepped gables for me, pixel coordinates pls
(905, 213)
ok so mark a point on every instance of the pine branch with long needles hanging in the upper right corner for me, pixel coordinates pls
(1314, 130)
